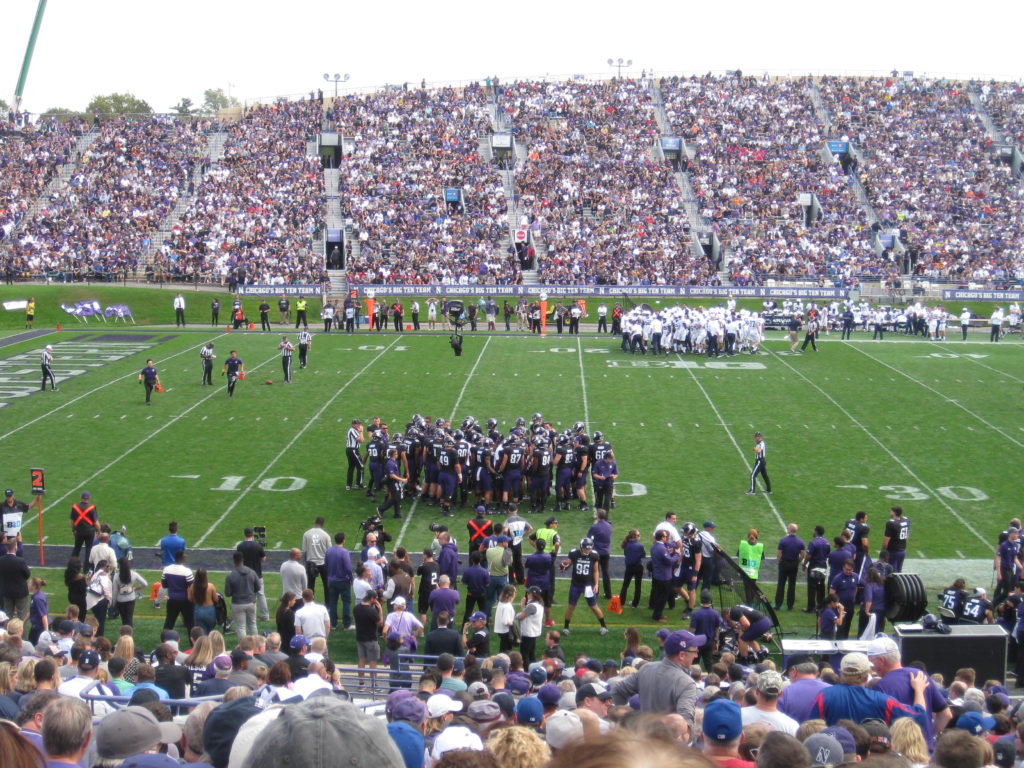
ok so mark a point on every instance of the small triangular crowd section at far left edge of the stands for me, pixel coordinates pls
(30, 156)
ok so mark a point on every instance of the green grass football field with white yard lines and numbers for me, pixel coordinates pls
(935, 428)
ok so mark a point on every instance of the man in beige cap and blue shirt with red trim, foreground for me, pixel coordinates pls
(854, 701)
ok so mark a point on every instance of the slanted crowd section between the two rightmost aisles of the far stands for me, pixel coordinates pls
(929, 172)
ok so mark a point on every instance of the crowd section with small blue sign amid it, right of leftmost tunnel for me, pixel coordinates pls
(409, 147)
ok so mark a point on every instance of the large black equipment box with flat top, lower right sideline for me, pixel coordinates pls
(983, 647)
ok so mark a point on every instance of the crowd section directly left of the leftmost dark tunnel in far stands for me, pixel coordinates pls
(254, 216)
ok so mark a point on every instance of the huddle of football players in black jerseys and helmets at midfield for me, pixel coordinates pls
(446, 466)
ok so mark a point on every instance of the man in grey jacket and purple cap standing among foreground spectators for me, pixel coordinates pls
(666, 687)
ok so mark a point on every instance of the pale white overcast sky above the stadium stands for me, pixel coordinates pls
(258, 51)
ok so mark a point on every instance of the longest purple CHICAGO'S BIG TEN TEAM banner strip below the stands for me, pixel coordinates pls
(611, 291)
